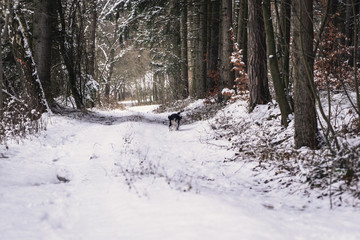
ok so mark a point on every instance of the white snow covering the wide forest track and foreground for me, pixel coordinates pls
(124, 175)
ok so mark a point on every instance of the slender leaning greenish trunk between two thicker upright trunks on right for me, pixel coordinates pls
(279, 86)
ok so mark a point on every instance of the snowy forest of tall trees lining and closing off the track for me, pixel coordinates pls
(84, 54)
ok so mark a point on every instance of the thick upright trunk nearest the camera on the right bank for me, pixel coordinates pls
(303, 61)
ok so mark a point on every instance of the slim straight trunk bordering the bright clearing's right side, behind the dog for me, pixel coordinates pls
(183, 39)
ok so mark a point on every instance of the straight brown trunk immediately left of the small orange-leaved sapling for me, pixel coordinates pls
(227, 76)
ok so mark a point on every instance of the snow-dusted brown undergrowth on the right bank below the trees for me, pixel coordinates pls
(259, 137)
